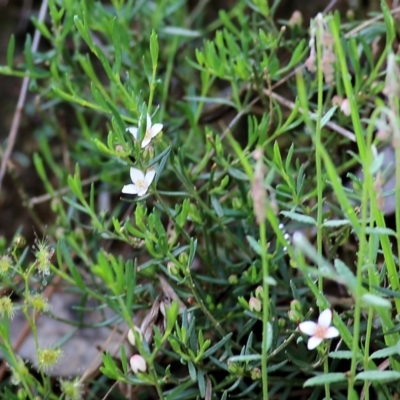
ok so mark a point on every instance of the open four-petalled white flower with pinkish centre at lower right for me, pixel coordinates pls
(319, 331)
